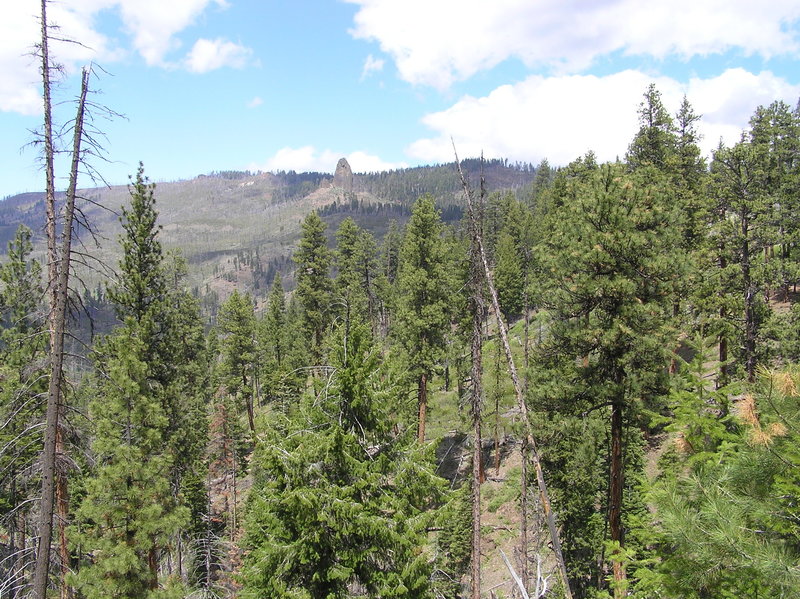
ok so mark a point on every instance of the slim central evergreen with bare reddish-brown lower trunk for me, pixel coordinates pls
(423, 299)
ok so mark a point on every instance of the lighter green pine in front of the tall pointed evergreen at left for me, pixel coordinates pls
(129, 513)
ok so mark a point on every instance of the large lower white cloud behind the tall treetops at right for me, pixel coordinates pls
(561, 118)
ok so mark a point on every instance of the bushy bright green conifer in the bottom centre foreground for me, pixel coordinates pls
(339, 502)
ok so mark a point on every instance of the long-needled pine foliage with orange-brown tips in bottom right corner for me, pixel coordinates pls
(729, 521)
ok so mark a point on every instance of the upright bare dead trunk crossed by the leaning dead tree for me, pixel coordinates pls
(476, 307)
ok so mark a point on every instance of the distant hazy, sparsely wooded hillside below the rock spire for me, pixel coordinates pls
(236, 229)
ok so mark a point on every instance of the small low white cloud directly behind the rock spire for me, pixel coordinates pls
(309, 159)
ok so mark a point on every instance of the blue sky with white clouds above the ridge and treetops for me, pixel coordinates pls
(195, 86)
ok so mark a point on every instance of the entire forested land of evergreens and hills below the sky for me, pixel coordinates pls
(362, 422)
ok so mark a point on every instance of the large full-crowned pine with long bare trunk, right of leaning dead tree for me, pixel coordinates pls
(612, 263)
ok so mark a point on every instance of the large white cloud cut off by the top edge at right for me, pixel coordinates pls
(437, 43)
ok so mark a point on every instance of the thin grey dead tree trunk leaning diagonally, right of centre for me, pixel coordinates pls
(523, 408)
